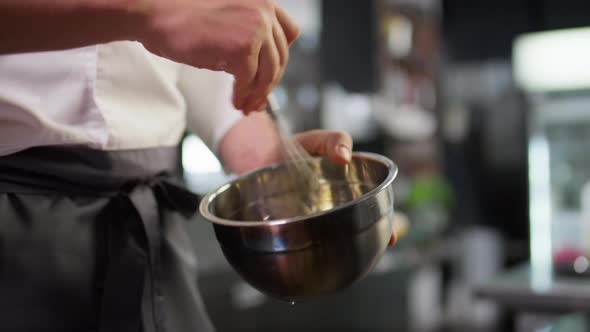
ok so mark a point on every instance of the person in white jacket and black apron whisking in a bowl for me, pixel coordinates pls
(94, 99)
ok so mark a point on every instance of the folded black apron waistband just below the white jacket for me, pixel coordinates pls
(84, 171)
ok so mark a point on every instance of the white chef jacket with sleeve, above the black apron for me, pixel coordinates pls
(114, 96)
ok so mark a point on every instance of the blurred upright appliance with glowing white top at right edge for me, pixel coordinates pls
(553, 68)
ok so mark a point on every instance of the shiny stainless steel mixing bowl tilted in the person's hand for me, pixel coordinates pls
(295, 242)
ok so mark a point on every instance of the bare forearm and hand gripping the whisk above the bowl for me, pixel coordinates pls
(249, 39)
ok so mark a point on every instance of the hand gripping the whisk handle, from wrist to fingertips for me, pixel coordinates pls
(249, 39)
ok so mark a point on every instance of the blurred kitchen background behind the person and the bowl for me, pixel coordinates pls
(485, 107)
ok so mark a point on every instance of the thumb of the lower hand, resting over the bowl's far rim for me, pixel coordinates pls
(336, 145)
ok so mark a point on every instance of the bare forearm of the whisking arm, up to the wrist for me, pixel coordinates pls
(42, 25)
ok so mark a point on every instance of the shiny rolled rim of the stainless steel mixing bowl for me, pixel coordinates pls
(210, 197)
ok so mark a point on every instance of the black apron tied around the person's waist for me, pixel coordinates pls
(95, 241)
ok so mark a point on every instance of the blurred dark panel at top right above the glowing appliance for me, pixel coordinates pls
(481, 30)
